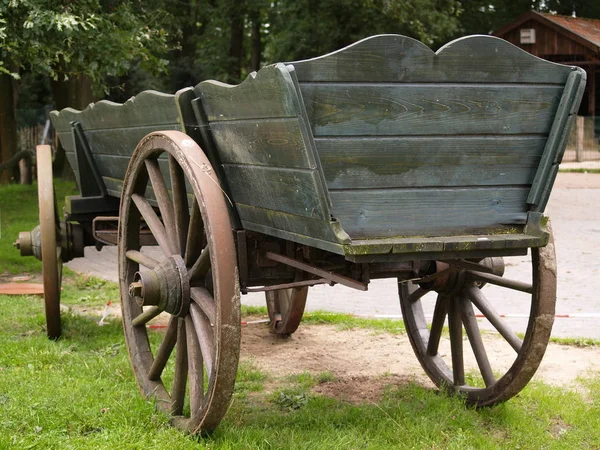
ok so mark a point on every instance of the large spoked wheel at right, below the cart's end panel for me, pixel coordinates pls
(455, 293)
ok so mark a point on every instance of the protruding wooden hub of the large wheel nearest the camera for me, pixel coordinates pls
(166, 286)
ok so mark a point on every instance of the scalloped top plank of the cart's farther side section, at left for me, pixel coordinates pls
(145, 109)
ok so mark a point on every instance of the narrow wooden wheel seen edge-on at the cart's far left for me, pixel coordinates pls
(49, 230)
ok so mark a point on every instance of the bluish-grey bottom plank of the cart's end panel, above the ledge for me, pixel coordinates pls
(372, 213)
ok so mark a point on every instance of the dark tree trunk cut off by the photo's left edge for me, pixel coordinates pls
(8, 126)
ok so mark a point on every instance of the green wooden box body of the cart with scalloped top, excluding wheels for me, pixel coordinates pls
(384, 139)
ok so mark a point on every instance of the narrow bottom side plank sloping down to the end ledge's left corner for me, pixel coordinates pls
(319, 229)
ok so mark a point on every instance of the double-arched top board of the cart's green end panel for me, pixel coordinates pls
(394, 58)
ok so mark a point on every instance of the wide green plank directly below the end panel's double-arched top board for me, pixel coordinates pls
(434, 109)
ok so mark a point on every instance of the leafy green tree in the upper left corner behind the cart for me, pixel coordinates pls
(76, 43)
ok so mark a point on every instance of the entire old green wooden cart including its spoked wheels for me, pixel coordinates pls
(383, 159)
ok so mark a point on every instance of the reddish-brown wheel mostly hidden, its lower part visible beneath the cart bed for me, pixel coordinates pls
(286, 307)
